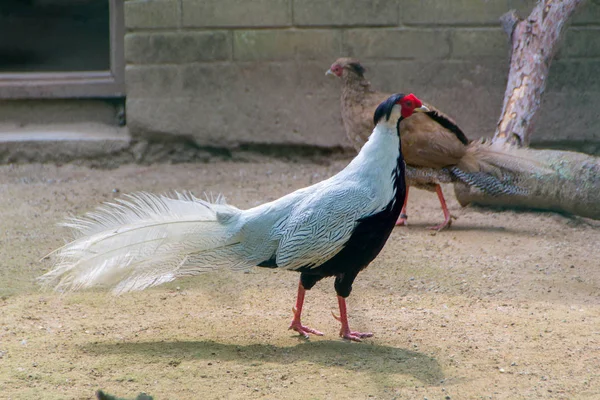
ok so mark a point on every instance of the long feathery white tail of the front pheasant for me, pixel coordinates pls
(145, 240)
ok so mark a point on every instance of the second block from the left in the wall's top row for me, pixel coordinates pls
(236, 13)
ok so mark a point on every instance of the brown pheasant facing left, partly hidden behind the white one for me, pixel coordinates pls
(434, 148)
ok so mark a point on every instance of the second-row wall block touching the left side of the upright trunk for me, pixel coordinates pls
(479, 43)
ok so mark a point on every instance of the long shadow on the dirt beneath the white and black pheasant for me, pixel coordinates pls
(364, 357)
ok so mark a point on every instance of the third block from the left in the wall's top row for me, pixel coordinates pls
(346, 13)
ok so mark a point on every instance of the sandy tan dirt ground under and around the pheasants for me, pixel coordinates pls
(505, 305)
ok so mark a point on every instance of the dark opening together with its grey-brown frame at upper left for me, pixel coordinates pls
(61, 49)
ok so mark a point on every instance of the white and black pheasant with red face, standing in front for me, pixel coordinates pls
(333, 228)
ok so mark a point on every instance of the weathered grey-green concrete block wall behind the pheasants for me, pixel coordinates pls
(233, 72)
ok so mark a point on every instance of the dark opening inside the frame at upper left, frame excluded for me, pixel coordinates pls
(54, 35)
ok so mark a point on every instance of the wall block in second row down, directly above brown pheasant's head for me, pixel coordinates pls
(425, 44)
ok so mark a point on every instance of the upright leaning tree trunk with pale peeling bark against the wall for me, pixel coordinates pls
(534, 42)
